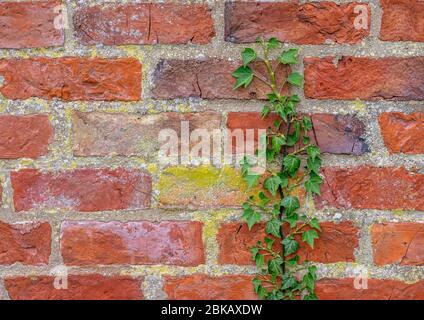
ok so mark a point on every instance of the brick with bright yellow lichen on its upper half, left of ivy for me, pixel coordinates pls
(201, 187)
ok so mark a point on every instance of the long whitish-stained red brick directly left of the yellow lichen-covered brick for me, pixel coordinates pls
(81, 189)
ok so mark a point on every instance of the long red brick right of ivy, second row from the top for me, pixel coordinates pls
(365, 78)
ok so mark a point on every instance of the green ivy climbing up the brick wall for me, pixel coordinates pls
(287, 146)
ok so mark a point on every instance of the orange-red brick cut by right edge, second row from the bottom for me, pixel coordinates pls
(398, 243)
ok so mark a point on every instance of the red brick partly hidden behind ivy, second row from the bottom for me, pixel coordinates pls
(336, 244)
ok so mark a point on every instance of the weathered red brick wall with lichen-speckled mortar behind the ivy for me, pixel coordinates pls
(84, 193)
